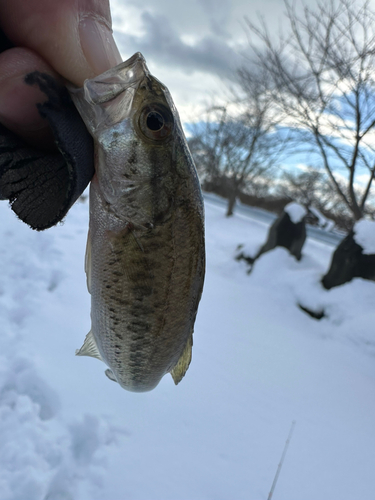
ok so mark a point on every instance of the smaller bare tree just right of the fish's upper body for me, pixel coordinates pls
(233, 147)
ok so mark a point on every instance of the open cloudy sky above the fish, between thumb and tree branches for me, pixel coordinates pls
(193, 47)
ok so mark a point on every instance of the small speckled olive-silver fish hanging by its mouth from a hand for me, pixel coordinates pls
(145, 254)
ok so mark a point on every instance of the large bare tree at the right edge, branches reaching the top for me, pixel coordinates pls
(322, 81)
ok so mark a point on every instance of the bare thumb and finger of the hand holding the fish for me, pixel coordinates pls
(70, 38)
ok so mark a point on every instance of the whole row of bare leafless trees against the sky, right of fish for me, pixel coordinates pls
(311, 92)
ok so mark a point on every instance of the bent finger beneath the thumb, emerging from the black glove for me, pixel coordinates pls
(18, 111)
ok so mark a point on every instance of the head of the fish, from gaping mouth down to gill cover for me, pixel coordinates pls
(139, 138)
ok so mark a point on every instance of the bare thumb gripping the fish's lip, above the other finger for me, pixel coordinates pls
(73, 36)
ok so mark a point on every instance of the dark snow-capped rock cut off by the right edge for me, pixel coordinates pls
(348, 262)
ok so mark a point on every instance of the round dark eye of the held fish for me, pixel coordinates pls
(156, 122)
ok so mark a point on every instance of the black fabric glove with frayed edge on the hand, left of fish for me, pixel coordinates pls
(41, 187)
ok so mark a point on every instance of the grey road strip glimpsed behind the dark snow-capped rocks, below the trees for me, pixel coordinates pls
(328, 237)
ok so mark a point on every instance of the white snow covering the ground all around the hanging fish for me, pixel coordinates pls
(259, 362)
